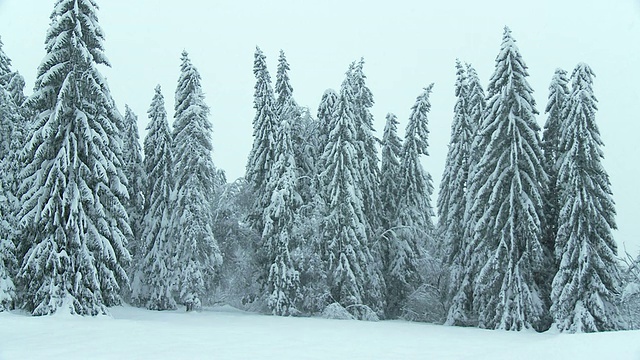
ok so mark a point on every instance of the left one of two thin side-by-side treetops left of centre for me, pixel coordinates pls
(265, 123)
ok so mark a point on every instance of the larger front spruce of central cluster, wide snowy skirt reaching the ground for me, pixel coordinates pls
(354, 280)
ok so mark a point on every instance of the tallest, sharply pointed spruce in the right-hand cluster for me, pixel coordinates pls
(510, 182)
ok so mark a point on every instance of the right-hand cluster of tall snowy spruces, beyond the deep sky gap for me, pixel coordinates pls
(527, 222)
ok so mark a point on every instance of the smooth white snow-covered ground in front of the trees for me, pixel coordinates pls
(225, 333)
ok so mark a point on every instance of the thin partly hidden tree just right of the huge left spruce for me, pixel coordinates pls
(136, 177)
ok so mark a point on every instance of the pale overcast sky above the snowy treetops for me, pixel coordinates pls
(407, 44)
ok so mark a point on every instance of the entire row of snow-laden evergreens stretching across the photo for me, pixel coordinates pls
(320, 224)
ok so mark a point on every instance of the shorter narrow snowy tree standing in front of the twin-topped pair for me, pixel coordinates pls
(283, 280)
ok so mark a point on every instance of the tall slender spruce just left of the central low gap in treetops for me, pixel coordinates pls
(197, 254)
